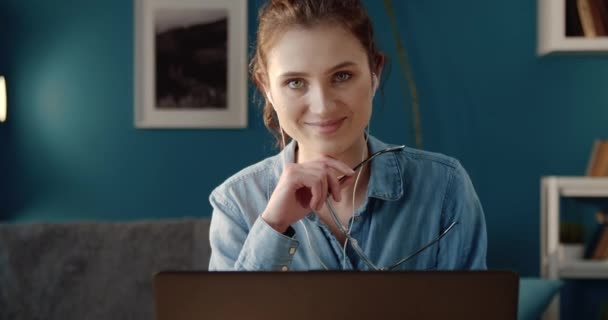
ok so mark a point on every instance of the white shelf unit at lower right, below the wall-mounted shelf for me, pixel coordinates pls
(553, 188)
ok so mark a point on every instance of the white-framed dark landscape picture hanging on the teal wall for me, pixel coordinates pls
(190, 64)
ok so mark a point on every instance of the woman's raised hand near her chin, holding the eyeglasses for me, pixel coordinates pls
(303, 187)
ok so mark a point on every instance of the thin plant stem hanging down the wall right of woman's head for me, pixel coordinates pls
(405, 66)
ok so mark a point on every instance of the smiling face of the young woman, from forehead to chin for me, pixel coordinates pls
(320, 85)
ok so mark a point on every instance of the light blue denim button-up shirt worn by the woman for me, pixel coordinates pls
(412, 197)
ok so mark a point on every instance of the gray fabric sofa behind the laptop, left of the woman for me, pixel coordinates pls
(91, 270)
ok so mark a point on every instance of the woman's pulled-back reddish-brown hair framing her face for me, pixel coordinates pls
(277, 16)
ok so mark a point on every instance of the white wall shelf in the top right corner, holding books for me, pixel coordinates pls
(552, 32)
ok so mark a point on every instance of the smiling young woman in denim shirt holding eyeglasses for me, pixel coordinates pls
(318, 69)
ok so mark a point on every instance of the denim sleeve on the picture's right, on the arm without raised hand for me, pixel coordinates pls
(464, 248)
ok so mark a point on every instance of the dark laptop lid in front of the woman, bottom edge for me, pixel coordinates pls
(324, 295)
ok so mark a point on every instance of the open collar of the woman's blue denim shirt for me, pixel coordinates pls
(386, 181)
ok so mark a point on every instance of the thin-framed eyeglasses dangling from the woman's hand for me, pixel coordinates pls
(354, 243)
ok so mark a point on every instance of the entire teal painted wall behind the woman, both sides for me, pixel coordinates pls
(71, 150)
